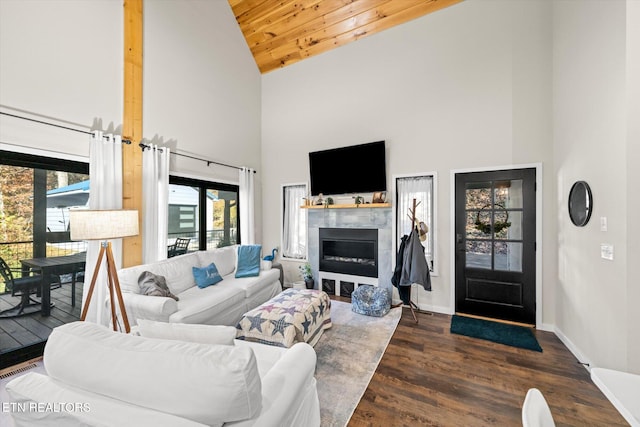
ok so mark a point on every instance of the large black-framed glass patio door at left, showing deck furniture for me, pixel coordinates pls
(36, 194)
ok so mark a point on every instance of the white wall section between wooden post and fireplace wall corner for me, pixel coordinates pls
(202, 90)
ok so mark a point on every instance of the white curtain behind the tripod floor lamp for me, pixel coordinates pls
(105, 173)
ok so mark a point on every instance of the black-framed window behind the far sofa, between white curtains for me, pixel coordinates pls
(205, 212)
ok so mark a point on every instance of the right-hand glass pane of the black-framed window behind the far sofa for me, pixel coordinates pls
(222, 212)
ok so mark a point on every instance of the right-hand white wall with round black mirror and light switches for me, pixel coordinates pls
(590, 134)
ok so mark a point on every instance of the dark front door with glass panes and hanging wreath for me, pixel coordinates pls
(495, 244)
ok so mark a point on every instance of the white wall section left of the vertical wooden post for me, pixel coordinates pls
(61, 60)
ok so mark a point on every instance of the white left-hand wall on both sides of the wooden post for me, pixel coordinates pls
(62, 60)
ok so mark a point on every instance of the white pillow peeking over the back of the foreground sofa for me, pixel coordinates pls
(204, 334)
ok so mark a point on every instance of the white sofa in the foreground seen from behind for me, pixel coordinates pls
(99, 377)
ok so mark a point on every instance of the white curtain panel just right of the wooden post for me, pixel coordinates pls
(155, 203)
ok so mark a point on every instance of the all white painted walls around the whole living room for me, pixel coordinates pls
(480, 85)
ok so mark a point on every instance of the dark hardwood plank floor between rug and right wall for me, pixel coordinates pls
(430, 377)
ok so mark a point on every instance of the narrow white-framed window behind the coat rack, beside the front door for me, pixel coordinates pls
(420, 187)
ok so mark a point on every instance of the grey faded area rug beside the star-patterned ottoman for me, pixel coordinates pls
(348, 355)
